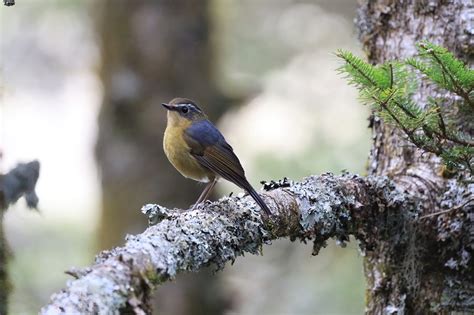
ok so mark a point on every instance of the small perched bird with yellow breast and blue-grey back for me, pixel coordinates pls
(199, 151)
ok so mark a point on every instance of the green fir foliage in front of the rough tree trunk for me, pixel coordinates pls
(389, 89)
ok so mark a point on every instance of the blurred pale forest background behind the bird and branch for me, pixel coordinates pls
(81, 84)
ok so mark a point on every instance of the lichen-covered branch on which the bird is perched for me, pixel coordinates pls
(317, 208)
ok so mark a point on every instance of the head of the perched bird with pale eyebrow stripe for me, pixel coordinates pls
(183, 111)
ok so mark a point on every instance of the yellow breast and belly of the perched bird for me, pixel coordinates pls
(178, 153)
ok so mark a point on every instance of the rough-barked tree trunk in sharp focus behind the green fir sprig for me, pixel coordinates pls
(420, 265)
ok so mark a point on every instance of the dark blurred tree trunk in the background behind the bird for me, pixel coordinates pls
(152, 51)
